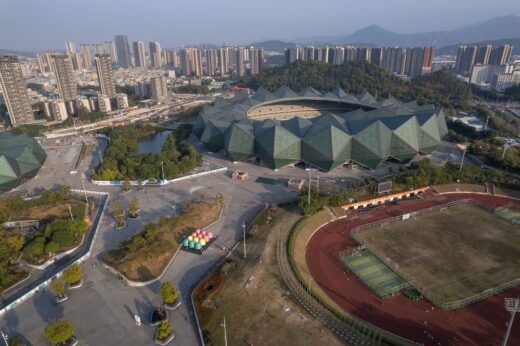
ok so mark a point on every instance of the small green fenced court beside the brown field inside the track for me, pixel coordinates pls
(373, 273)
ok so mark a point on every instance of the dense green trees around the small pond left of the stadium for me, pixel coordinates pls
(121, 159)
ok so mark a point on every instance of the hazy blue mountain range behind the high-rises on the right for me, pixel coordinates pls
(492, 29)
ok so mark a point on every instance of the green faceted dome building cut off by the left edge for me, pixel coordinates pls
(20, 158)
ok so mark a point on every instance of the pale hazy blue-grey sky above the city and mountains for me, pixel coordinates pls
(45, 24)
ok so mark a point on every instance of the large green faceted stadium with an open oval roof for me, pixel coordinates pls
(322, 130)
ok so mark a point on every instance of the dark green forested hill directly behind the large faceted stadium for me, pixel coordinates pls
(439, 88)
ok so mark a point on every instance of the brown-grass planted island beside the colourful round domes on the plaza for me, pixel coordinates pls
(146, 254)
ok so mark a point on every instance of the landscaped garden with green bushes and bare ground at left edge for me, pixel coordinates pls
(37, 229)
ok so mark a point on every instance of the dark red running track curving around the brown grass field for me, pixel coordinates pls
(482, 323)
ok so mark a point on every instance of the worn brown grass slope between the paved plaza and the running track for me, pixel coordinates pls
(251, 294)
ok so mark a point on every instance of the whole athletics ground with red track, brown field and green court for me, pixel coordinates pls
(434, 269)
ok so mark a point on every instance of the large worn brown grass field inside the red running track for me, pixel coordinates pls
(450, 255)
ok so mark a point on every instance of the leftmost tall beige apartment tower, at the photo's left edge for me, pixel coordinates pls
(13, 88)
